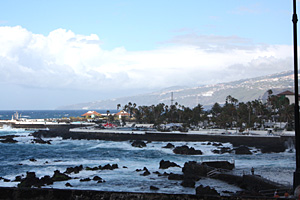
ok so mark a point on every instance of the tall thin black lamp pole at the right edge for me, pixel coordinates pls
(297, 138)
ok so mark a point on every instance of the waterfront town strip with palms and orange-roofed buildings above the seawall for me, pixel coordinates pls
(275, 116)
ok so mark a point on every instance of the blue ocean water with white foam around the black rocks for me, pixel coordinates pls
(60, 154)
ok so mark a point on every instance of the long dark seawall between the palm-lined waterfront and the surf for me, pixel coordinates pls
(279, 143)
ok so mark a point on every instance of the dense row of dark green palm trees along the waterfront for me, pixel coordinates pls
(233, 114)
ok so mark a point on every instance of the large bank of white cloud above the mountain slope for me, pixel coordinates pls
(65, 60)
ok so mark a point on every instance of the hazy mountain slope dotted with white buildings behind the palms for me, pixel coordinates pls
(243, 90)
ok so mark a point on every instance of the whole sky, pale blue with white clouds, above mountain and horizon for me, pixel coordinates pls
(55, 53)
